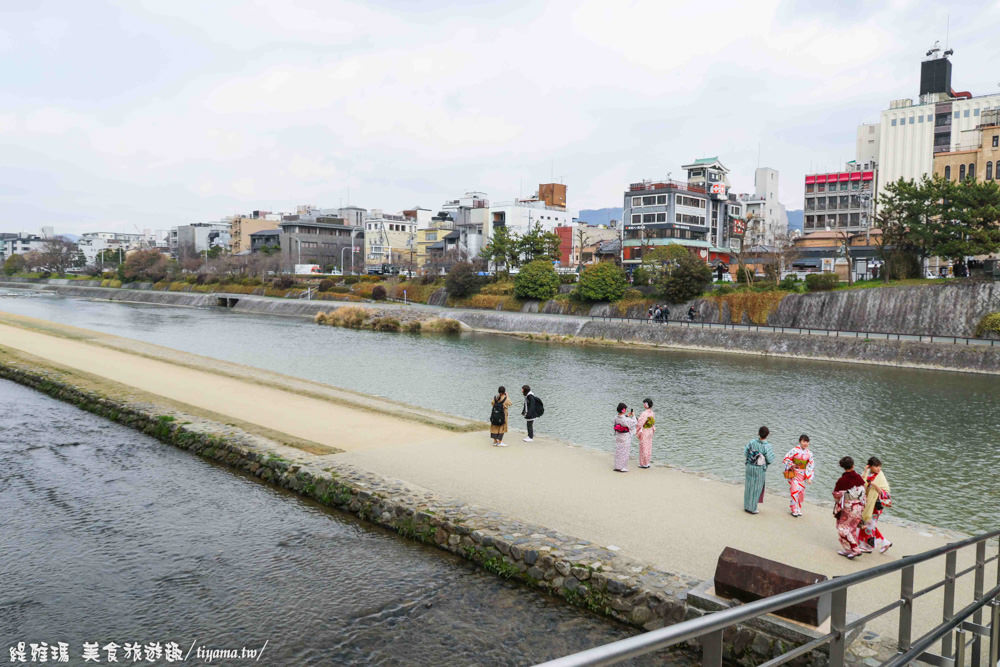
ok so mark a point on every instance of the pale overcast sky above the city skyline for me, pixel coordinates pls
(133, 114)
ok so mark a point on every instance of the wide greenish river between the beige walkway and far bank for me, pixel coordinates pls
(937, 433)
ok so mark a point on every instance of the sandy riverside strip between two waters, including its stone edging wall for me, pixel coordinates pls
(549, 514)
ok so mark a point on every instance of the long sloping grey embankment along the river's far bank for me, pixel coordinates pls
(585, 330)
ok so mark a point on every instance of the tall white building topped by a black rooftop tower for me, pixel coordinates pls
(910, 134)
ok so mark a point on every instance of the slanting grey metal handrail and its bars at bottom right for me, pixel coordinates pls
(713, 624)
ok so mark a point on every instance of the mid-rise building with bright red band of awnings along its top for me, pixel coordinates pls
(840, 200)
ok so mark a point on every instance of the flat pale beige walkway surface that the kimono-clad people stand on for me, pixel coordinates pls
(678, 521)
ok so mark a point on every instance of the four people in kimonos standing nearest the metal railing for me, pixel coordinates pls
(858, 500)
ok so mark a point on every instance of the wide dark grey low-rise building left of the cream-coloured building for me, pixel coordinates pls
(319, 236)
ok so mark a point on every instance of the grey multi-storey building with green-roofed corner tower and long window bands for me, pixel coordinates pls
(696, 214)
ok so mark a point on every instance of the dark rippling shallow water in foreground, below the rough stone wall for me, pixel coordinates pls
(110, 536)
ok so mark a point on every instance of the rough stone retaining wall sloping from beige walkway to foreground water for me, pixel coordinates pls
(584, 574)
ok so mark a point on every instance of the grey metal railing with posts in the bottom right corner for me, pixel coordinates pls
(708, 629)
